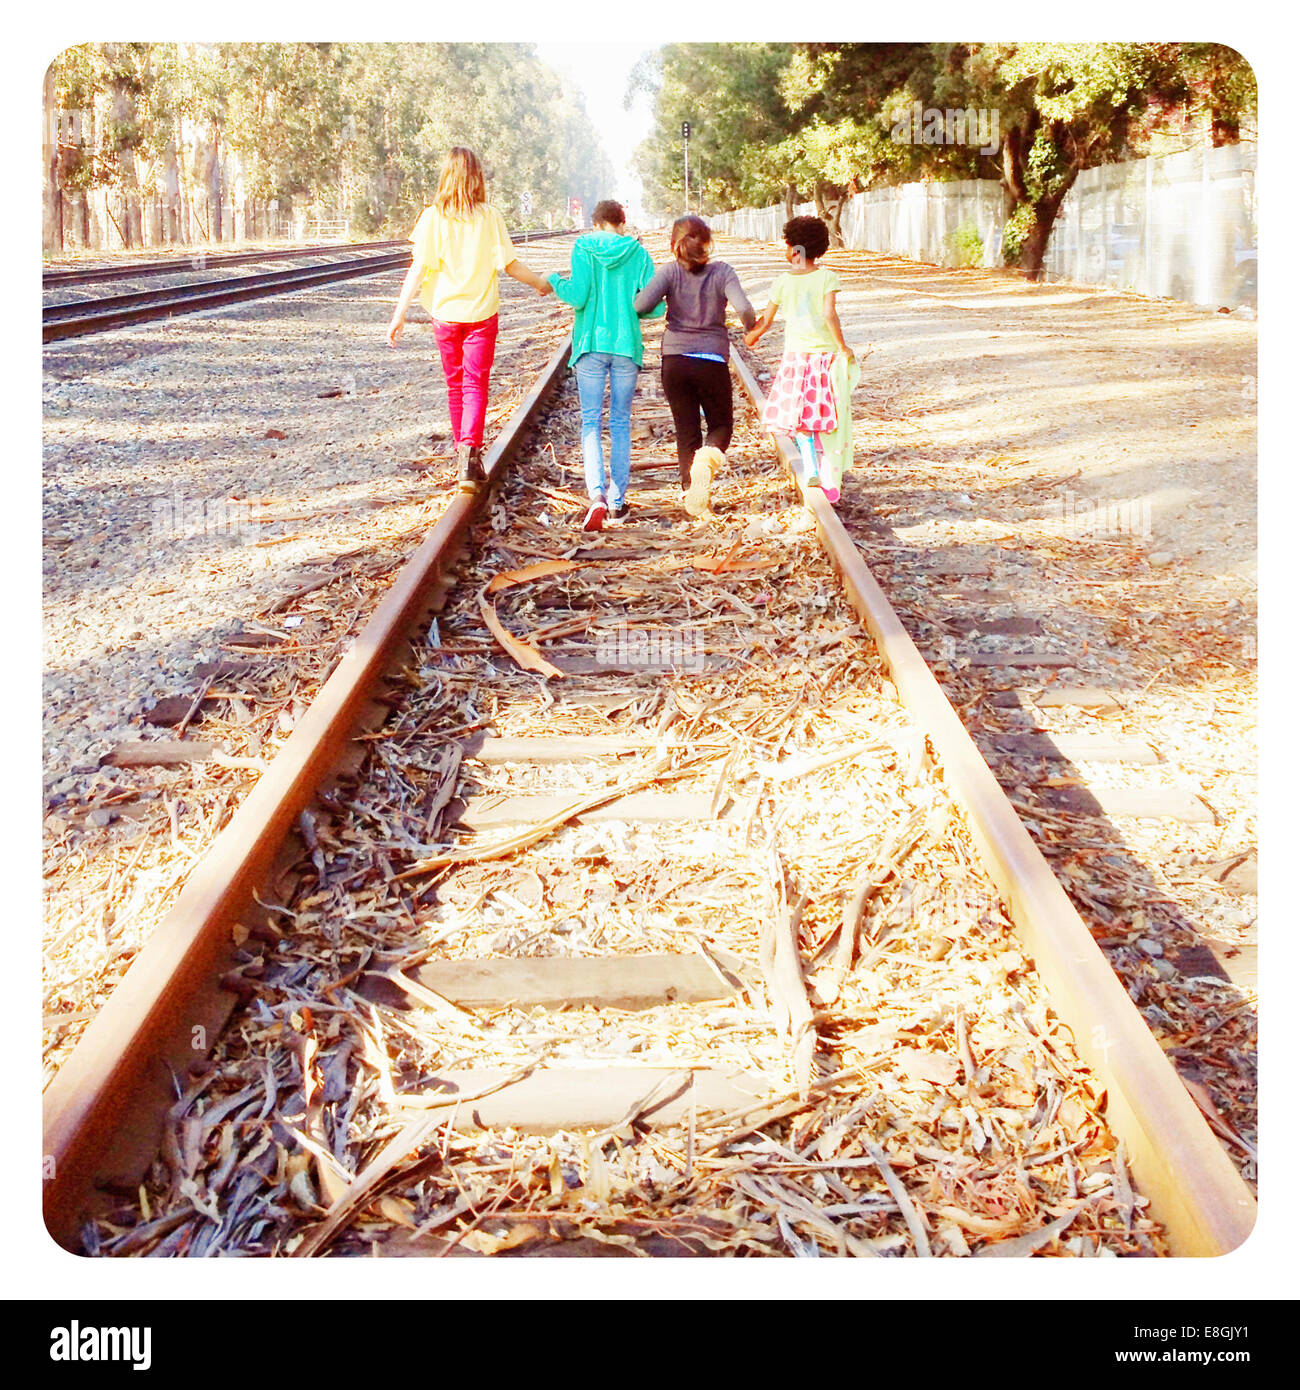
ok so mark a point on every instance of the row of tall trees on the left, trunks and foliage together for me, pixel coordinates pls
(151, 144)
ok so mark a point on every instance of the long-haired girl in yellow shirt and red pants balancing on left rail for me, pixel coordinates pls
(461, 244)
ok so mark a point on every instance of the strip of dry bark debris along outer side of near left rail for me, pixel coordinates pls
(116, 860)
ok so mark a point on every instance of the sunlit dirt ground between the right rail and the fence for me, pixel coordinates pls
(973, 515)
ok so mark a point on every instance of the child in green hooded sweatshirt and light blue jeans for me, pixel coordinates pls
(604, 276)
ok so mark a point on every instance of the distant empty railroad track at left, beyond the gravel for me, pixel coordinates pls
(102, 315)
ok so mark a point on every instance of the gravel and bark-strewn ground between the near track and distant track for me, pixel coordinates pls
(131, 420)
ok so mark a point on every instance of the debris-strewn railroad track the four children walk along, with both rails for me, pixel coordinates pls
(636, 890)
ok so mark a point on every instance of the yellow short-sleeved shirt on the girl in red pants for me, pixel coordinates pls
(461, 259)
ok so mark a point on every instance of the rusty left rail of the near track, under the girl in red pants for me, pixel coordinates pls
(105, 1109)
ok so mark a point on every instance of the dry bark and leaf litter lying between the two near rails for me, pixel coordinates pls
(942, 1109)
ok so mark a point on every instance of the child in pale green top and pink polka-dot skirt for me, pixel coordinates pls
(809, 397)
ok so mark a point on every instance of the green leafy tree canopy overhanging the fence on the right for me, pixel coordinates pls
(828, 120)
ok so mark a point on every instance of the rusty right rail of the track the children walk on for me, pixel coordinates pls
(1178, 1164)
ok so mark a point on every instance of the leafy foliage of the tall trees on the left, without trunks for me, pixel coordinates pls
(358, 126)
